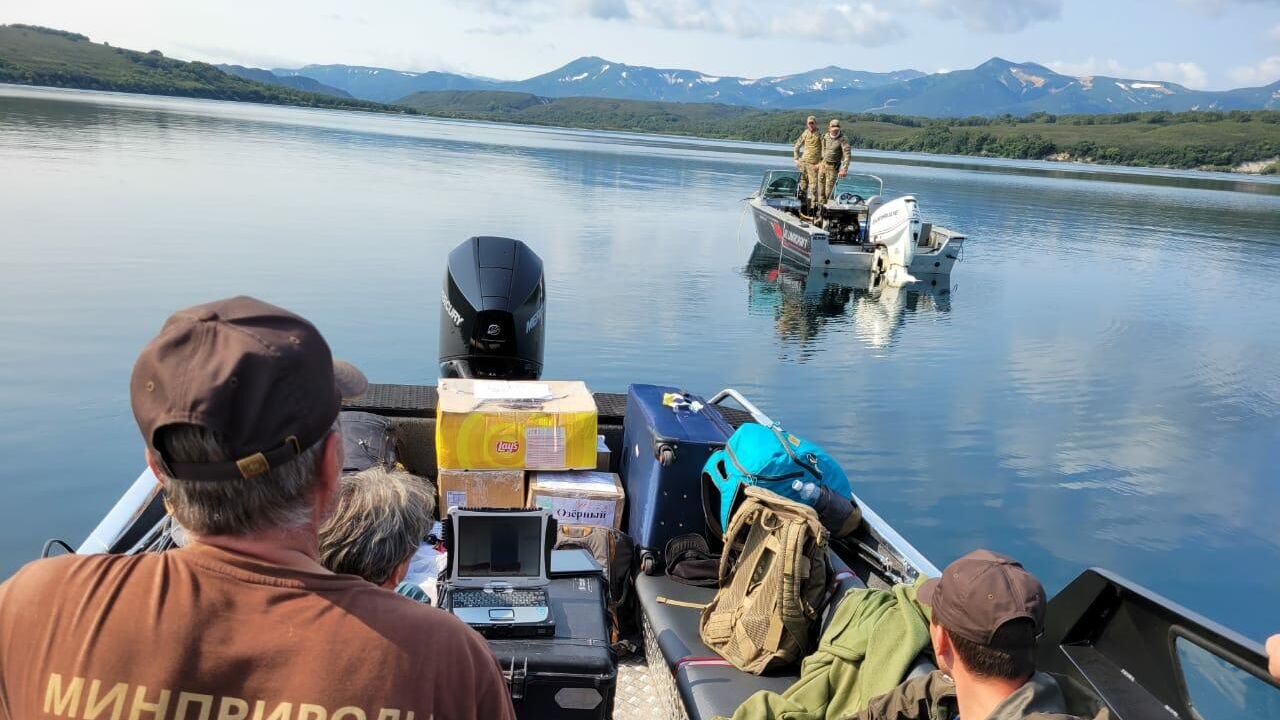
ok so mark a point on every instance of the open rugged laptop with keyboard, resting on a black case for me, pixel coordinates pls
(499, 571)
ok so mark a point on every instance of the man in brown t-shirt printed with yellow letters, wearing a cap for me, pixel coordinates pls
(237, 402)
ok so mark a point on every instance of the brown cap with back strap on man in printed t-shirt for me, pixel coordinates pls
(257, 375)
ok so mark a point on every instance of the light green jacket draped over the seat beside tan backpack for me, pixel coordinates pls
(872, 641)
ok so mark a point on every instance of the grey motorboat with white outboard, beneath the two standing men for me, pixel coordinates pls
(858, 229)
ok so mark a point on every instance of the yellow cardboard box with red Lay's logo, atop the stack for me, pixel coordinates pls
(508, 426)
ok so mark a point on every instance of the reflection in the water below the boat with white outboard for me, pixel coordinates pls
(804, 302)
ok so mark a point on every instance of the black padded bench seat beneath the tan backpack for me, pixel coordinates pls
(710, 686)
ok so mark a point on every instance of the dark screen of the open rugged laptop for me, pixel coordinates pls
(500, 546)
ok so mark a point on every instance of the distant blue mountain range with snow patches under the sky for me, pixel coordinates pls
(995, 88)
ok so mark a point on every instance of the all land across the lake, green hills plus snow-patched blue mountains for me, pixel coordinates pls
(1244, 143)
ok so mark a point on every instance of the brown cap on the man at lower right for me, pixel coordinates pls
(982, 591)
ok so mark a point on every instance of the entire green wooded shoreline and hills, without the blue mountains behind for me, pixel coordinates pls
(1195, 140)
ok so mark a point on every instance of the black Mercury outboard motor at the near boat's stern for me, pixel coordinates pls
(493, 312)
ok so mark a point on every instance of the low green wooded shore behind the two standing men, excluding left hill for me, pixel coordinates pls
(1174, 140)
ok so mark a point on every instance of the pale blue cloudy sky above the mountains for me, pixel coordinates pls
(1206, 44)
